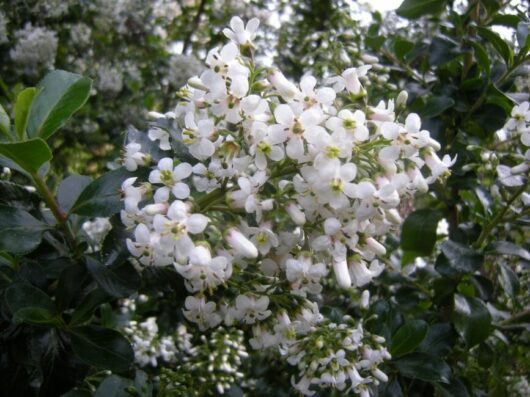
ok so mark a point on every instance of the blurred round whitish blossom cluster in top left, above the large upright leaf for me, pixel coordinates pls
(35, 46)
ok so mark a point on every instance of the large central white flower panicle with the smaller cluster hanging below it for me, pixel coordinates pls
(282, 185)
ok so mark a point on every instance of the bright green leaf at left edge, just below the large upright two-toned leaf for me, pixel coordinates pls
(29, 155)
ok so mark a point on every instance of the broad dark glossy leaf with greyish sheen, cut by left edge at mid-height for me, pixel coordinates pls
(20, 232)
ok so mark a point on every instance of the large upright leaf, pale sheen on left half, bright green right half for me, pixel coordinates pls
(60, 95)
